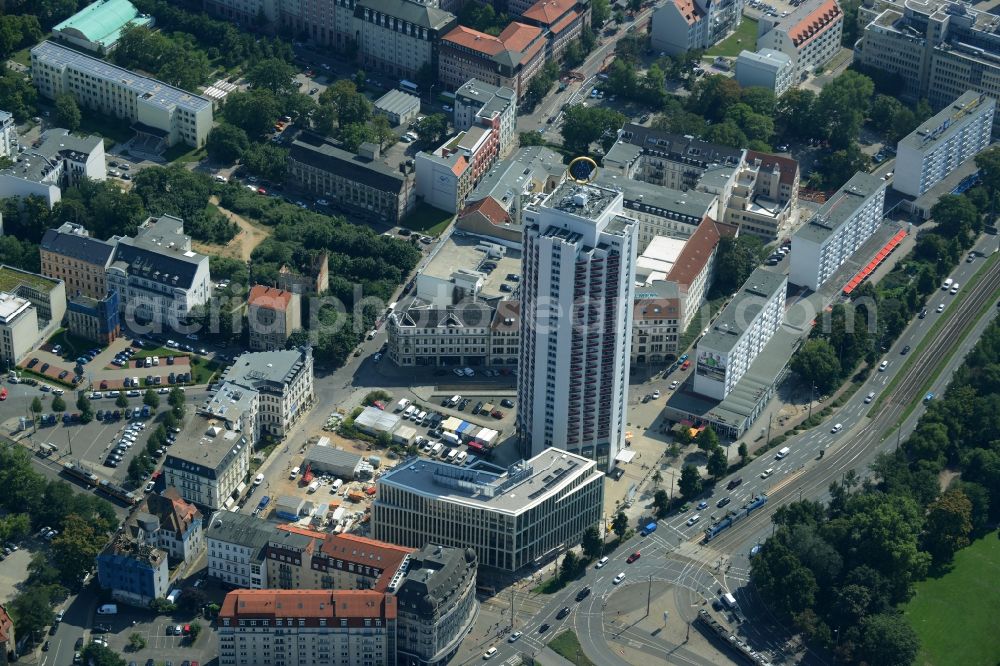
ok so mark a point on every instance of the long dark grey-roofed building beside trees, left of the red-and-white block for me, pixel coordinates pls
(360, 185)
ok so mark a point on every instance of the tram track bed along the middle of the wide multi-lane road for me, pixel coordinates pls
(842, 458)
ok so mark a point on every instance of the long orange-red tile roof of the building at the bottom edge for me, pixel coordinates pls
(308, 605)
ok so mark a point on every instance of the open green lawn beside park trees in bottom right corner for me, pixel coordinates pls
(956, 615)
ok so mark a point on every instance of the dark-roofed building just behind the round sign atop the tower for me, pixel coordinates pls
(671, 160)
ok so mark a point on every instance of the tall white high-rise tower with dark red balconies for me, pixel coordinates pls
(579, 248)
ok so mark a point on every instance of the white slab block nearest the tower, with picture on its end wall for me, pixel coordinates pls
(740, 333)
